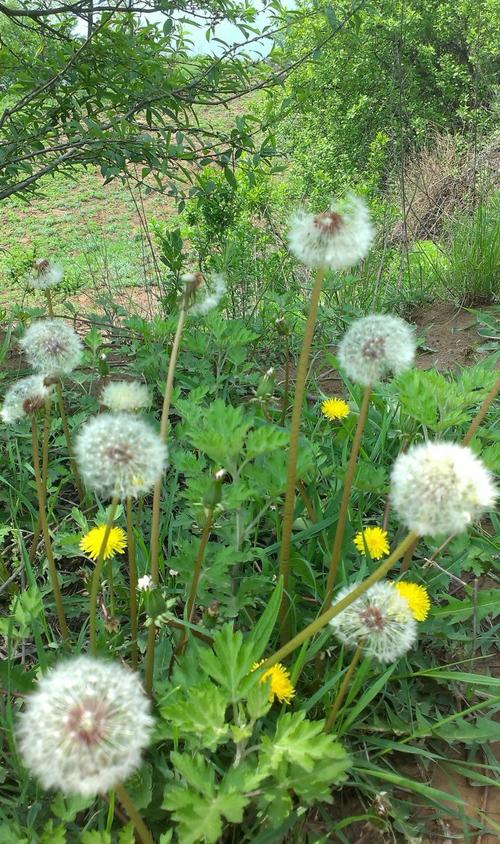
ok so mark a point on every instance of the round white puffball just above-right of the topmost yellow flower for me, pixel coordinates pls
(375, 346)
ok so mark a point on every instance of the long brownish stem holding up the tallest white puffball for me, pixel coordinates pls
(286, 536)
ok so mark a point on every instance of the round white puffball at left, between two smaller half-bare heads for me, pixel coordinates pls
(52, 346)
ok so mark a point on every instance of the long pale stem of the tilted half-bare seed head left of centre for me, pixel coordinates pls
(155, 518)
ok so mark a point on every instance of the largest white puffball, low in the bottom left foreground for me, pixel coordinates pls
(85, 727)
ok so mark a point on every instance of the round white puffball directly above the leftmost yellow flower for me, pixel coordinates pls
(120, 455)
